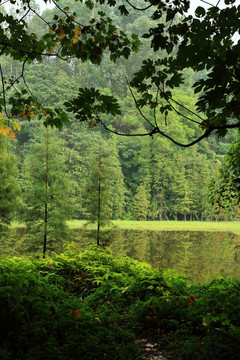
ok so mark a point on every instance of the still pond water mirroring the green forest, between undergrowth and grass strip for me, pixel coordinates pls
(199, 255)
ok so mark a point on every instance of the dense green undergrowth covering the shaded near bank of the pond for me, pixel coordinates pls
(83, 305)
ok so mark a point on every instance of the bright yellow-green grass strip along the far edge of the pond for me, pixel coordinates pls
(229, 226)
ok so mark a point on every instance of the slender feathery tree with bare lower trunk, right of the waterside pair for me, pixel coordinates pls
(104, 191)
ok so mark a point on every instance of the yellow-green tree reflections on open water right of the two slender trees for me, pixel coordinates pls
(199, 255)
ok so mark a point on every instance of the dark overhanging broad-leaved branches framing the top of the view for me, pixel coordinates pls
(204, 43)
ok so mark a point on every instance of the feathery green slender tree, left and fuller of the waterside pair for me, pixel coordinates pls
(46, 192)
